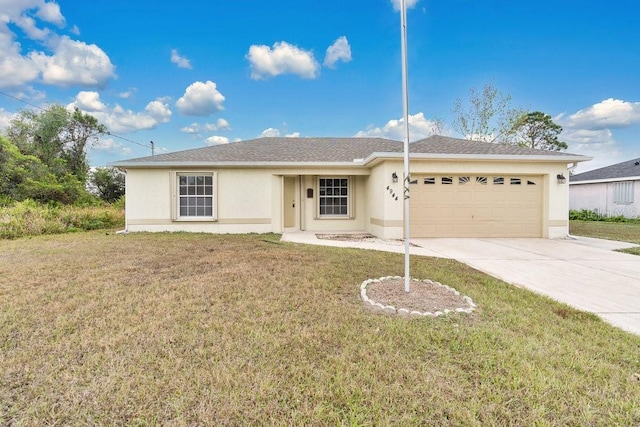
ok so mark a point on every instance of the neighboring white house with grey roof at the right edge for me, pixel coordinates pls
(612, 191)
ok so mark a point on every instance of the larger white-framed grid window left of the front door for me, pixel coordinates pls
(195, 195)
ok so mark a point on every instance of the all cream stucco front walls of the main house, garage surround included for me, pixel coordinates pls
(251, 200)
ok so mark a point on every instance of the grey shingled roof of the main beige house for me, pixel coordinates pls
(291, 151)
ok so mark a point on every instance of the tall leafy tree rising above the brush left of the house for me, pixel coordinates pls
(58, 137)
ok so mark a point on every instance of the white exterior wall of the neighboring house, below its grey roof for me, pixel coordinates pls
(599, 197)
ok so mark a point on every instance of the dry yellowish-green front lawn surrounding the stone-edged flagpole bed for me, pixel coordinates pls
(193, 329)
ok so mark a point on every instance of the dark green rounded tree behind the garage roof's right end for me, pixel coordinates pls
(537, 130)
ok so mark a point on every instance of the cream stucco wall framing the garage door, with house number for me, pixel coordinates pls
(555, 221)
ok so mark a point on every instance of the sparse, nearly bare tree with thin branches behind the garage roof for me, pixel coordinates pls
(487, 116)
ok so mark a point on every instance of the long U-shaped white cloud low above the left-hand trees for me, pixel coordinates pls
(119, 120)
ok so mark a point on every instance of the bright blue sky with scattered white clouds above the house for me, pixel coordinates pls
(190, 74)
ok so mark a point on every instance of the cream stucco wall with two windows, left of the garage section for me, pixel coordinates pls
(247, 201)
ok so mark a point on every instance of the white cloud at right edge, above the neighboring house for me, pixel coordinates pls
(608, 113)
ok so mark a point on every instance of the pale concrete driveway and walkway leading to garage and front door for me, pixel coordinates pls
(582, 272)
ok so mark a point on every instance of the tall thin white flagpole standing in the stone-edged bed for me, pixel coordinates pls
(405, 105)
